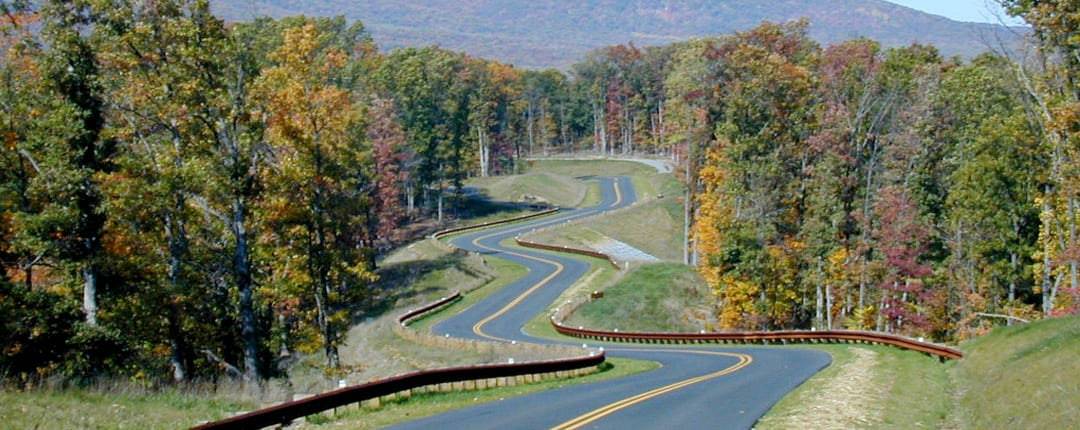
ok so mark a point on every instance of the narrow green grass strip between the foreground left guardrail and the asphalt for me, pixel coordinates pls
(428, 405)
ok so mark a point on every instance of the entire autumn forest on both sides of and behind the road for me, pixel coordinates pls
(183, 198)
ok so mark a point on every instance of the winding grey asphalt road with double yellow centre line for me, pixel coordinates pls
(722, 388)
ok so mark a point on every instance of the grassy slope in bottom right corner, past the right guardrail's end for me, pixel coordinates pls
(1023, 378)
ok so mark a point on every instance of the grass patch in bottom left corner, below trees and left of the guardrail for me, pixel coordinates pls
(92, 409)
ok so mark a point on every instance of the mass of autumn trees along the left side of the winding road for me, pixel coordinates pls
(183, 199)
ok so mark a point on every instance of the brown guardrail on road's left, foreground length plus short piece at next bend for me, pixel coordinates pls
(487, 375)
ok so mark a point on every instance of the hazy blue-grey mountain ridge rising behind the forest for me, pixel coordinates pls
(539, 34)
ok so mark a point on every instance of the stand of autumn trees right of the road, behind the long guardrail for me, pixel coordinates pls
(855, 187)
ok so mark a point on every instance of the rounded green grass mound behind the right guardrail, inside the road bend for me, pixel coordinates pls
(655, 298)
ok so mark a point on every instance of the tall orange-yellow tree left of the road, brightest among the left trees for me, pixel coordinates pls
(318, 189)
